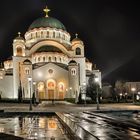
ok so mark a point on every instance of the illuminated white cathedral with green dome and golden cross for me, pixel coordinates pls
(47, 62)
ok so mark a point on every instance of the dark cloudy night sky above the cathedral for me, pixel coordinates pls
(110, 30)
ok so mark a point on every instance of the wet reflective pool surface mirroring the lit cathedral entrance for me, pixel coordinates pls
(33, 127)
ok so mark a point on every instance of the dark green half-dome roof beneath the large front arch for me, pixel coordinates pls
(48, 49)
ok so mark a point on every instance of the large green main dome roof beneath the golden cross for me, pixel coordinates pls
(47, 22)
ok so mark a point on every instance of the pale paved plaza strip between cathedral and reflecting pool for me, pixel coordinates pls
(66, 107)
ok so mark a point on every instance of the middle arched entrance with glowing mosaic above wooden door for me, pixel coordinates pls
(51, 85)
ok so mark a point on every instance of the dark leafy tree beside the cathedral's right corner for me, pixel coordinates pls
(92, 88)
